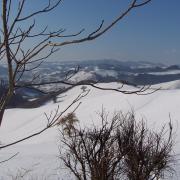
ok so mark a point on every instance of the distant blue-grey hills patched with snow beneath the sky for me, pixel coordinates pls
(108, 70)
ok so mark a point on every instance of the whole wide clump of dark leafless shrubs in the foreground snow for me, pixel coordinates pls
(121, 148)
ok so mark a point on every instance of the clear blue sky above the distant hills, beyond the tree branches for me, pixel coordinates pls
(149, 33)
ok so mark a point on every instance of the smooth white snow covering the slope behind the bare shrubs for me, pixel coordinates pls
(39, 154)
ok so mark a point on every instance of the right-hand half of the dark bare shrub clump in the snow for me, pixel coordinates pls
(147, 153)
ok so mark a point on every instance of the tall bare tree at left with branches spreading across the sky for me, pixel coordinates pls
(14, 35)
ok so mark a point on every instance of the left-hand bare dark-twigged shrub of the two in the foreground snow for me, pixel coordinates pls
(93, 153)
